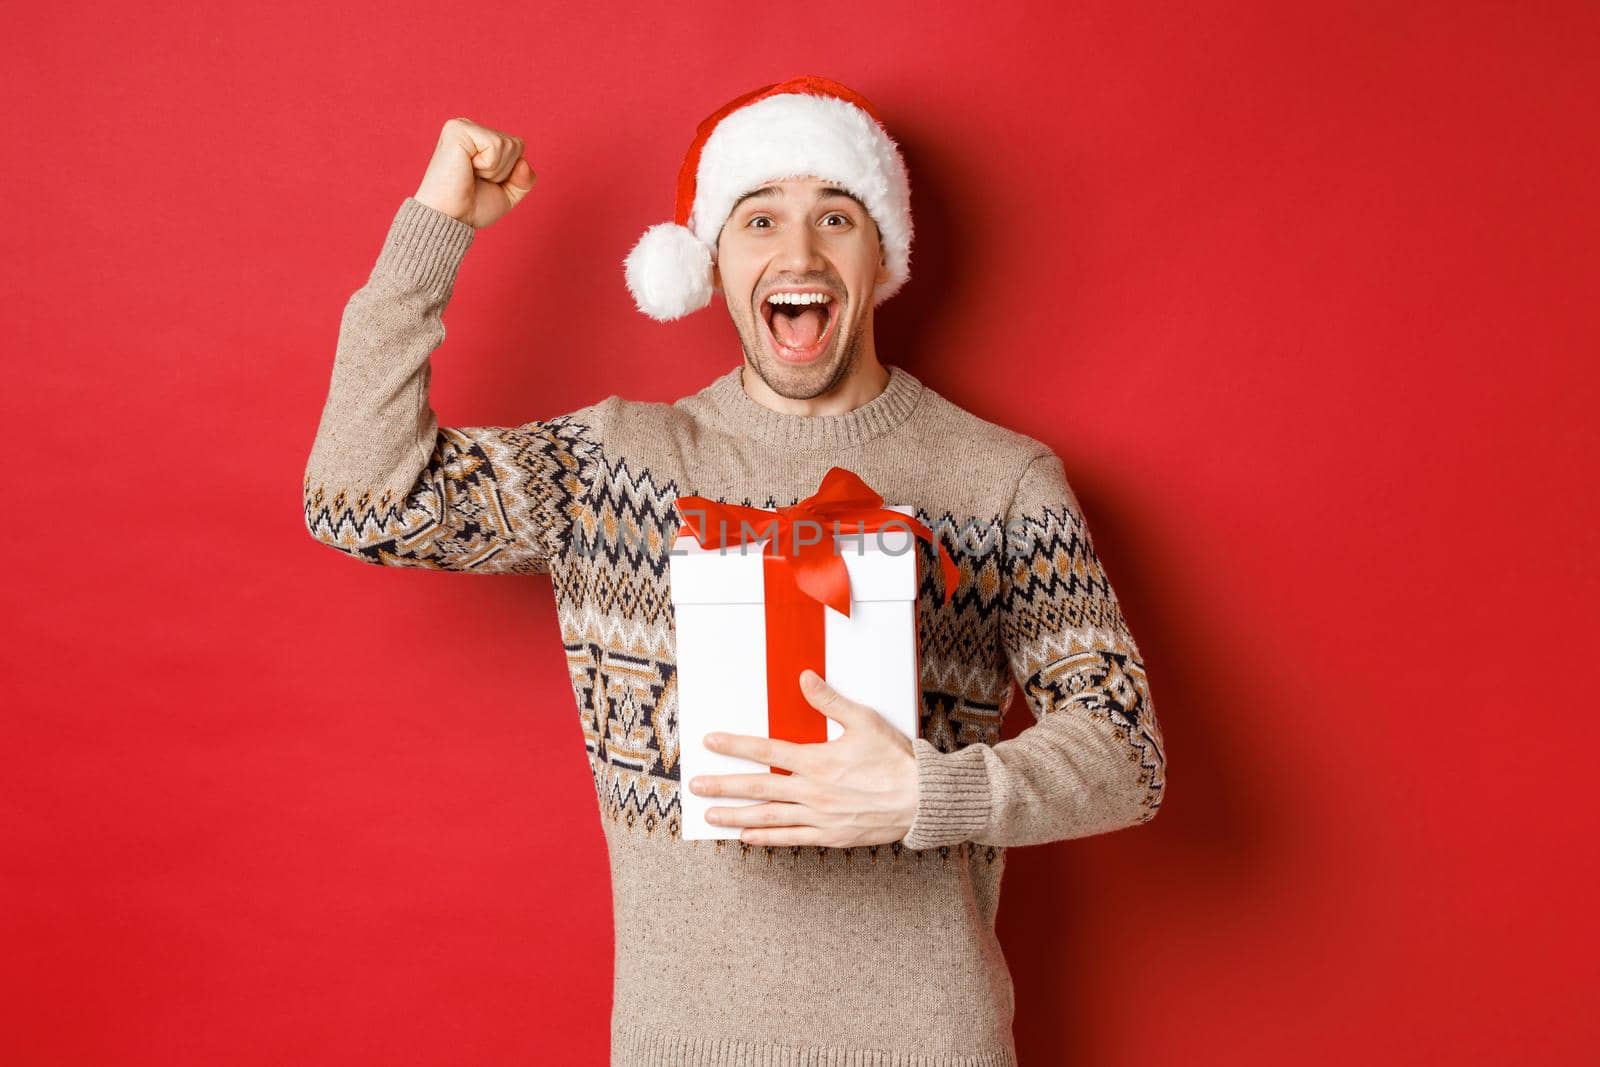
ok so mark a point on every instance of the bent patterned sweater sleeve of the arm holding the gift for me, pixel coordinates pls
(1094, 761)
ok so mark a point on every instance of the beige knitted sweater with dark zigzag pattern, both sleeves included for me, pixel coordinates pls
(730, 953)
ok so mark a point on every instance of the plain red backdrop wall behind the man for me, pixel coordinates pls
(1305, 295)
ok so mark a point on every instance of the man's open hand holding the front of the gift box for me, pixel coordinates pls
(858, 789)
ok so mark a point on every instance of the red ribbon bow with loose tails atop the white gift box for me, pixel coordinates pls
(844, 505)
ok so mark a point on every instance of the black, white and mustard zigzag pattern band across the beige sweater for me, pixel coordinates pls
(609, 529)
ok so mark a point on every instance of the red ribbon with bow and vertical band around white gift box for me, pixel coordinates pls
(801, 578)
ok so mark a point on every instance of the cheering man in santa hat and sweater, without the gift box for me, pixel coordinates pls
(854, 919)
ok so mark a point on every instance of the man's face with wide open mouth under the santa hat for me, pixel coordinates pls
(801, 236)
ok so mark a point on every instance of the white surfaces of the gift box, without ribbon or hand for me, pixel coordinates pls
(719, 602)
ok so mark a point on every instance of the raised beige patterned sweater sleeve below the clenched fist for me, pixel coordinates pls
(385, 484)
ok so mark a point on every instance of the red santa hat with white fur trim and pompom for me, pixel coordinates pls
(798, 129)
